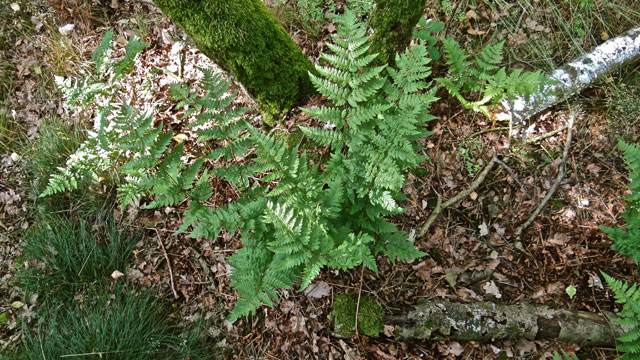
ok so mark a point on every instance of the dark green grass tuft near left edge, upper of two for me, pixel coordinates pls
(68, 256)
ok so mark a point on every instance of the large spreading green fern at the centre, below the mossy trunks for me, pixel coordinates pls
(294, 217)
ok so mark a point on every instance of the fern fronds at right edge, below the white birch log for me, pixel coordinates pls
(627, 240)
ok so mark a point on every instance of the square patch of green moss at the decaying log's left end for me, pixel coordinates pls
(344, 315)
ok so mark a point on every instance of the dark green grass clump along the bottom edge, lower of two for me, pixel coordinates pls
(114, 325)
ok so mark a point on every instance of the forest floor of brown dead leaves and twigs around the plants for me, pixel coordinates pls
(563, 248)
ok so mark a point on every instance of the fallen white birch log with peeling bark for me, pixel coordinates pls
(574, 76)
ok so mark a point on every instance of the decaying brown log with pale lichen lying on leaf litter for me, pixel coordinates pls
(486, 322)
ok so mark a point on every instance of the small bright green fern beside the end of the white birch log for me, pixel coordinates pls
(483, 78)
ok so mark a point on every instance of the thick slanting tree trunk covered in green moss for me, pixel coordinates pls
(246, 40)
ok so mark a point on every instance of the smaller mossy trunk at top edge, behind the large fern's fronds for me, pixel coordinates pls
(393, 22)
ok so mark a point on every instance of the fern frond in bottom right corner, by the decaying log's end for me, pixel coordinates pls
(629, 296)
